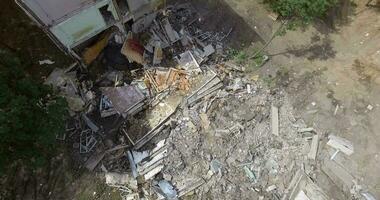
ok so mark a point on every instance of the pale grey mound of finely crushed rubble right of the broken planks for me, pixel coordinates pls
(228, 144)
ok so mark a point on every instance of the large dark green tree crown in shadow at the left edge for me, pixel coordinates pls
(30, 116)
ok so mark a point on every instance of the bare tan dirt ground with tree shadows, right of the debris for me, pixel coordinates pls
(323, 69)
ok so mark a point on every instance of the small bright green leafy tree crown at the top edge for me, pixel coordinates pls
(301, 12)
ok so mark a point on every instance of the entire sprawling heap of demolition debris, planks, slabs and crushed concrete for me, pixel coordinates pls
(191, 123)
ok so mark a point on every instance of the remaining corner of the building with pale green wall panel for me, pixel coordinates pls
(73, 24)
